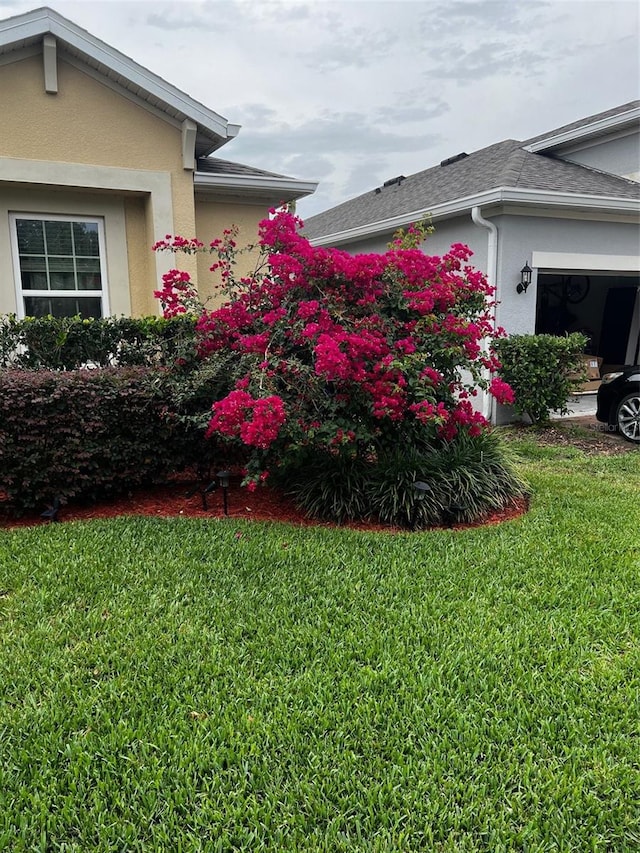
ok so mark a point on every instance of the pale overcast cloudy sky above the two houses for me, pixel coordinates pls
(353, 93)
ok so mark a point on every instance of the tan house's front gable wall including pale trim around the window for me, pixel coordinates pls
(89, 124)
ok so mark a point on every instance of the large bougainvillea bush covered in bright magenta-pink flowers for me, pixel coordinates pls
(349, 353)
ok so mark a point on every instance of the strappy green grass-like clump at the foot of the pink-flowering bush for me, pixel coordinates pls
(467, 478)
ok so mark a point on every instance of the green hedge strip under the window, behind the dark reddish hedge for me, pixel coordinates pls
(68, 343)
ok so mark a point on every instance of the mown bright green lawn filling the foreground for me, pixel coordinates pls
(177, 685)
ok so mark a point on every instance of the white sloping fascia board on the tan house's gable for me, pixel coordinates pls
(43, 21)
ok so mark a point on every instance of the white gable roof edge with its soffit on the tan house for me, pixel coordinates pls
(22, 35)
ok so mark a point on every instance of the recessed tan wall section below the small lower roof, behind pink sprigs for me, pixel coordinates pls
(212, 217)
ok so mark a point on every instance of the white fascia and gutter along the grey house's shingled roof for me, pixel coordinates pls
(499, 195)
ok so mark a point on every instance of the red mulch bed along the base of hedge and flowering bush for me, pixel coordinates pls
(175, 500)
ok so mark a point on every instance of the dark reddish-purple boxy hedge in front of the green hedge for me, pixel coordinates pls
(84, 434)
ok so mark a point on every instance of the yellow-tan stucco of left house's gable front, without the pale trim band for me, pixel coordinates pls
(87, 122)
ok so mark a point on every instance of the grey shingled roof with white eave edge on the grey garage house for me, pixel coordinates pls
(505, 171)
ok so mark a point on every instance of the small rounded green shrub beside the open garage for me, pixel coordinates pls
(539, 369)
